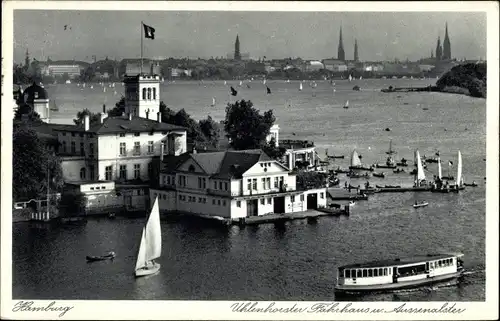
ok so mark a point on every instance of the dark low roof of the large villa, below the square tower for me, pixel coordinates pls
(121, 124)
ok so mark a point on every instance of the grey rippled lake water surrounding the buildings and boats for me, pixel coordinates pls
(297, 261)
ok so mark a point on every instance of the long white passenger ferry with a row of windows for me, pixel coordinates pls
(390, 275)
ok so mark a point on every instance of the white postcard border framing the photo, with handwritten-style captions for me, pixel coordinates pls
(214, 310)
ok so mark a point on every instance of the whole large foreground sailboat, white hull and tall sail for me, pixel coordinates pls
(150, 247)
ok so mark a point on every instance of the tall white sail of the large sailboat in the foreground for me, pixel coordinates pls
(150, 247)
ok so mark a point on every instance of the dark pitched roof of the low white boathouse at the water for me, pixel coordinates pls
(223, 165)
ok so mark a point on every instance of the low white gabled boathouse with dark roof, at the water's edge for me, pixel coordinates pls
(231, 184)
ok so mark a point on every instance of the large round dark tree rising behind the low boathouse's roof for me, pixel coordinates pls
(244, 125)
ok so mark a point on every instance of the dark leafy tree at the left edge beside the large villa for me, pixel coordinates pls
(31, 163)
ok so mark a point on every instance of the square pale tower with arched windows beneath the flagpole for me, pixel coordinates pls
(142, 96)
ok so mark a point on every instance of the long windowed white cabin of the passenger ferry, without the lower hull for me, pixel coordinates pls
(398, 270)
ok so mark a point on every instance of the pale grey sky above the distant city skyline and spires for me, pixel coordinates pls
(309, 35)
